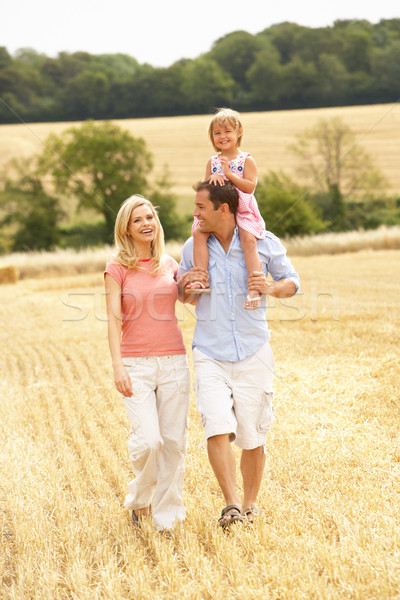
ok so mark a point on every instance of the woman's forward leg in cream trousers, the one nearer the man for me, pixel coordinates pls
(173, 393)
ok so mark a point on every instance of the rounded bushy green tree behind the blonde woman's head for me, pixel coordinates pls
(100, 164)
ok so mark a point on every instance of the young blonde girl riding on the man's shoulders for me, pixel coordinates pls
(226, 132)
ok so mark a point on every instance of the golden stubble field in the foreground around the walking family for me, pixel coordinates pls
(331, 489)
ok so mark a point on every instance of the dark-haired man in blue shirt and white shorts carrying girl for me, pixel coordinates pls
(232, 357)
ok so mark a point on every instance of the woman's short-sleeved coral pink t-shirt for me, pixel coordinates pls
(149, 323)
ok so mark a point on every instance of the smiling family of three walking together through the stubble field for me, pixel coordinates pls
(223, 271)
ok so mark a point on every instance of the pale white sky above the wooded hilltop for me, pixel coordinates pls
(160, 32)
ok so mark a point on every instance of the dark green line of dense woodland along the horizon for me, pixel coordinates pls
(285, 66)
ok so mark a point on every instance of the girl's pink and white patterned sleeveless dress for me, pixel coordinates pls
(248, 216)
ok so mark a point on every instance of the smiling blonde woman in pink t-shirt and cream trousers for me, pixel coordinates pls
(149, 361)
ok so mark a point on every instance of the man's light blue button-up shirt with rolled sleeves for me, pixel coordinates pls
(224, 329)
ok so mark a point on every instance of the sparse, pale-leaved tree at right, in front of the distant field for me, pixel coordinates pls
(333, 162)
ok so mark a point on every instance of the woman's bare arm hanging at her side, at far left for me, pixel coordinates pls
(113, 301)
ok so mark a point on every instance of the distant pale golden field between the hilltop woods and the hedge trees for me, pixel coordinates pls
(181, 143)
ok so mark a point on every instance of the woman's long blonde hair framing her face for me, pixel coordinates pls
(126, 253)
